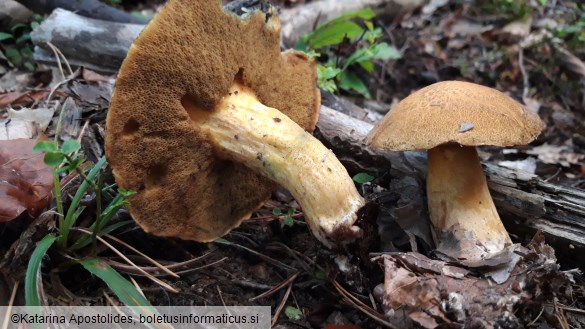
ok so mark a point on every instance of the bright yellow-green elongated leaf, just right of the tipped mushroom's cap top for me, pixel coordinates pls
(334, 34)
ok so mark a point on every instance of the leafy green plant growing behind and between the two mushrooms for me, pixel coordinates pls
(343, 45)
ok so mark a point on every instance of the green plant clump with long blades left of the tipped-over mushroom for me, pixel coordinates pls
(67, 158)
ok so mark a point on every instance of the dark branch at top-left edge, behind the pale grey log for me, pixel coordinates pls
(87, 8)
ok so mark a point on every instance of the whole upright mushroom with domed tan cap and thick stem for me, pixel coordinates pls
(449, 119)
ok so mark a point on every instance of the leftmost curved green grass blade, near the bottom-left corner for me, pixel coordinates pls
(31, 292)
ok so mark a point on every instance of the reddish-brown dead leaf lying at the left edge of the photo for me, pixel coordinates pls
(25, 181)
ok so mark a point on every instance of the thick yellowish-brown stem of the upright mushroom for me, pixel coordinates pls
(460, 203)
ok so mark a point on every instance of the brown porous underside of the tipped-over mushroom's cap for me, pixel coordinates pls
(190, 54)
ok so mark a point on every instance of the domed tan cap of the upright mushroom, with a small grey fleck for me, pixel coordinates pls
(455, 112)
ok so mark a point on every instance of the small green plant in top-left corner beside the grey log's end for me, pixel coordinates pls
(17, 45)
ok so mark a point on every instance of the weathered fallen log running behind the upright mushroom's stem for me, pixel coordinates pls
(525, 202)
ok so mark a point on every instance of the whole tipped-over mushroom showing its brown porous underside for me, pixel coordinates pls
(207, 114)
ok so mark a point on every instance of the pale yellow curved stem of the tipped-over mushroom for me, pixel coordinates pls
(265, 140)
